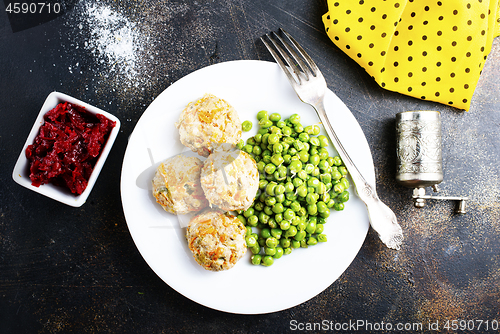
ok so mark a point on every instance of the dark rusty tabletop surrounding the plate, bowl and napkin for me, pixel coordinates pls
(65, 269)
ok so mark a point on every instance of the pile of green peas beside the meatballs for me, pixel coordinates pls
(299, 184)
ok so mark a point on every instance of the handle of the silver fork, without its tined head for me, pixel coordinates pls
(382, 218)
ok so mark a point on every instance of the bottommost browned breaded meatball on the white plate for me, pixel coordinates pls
(216, 239)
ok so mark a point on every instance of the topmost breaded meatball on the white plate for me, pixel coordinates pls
(207, 122)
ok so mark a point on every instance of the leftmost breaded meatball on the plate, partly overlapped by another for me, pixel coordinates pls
(176, 185)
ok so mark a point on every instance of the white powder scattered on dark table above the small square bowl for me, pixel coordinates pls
(116, 46)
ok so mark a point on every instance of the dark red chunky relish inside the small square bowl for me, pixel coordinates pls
(67, 147)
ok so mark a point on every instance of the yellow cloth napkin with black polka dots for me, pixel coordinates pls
(431, 50)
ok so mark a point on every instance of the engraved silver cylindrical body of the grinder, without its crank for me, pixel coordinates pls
(419, 151)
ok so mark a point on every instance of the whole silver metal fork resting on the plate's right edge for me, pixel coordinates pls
(310, 86)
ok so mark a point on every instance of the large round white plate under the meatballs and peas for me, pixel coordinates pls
(249, 86)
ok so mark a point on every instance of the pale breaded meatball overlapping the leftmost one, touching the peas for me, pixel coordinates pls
(230, 179)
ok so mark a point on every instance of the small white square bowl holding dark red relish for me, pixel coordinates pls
(21, 170)
